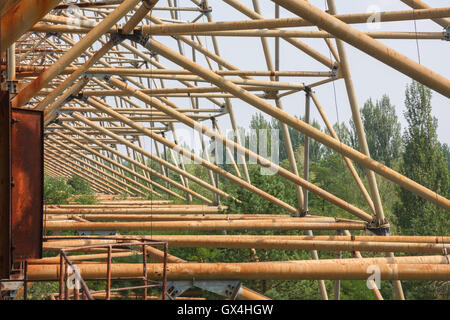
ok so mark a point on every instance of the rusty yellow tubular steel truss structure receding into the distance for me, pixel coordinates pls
(108, 73)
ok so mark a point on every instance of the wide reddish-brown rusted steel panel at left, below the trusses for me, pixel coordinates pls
(27, 190)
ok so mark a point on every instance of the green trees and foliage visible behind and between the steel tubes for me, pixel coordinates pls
(418, 155)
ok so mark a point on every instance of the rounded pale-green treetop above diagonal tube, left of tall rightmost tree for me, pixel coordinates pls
(382, 130)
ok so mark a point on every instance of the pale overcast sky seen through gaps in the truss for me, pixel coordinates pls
(371, 77)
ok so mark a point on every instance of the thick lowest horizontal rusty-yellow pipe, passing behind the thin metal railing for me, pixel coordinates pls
(254, 271)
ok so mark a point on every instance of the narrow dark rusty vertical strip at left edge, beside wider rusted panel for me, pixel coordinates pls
(5, 186)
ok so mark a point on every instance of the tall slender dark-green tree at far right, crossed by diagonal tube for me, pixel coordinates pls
(423, 161)
